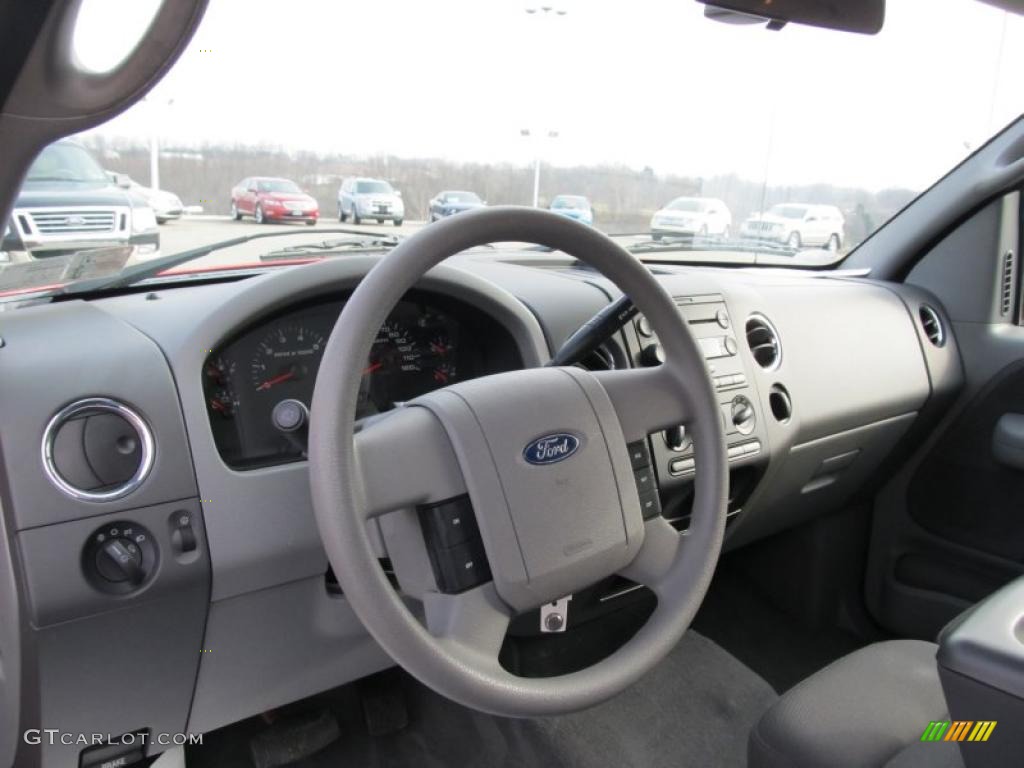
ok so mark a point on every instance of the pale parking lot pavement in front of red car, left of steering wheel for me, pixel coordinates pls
(196, 232)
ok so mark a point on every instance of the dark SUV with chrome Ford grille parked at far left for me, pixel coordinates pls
(69, 204)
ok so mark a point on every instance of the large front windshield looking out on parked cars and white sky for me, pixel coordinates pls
(780, 123)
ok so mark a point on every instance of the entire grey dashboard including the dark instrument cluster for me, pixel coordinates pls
(232, 612)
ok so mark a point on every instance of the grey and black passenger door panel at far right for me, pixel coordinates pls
(949, 529)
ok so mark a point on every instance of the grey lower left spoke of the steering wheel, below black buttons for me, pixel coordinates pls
(476, 621)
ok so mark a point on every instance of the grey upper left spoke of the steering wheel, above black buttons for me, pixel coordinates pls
(405, 458)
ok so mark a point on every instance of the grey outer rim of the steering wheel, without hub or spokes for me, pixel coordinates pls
(456, 672)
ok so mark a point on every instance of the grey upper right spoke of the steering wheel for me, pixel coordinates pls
(647, 400)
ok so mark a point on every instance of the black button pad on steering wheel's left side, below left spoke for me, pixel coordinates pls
(454, 545)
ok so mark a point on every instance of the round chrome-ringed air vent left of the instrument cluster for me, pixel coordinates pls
(98, 450)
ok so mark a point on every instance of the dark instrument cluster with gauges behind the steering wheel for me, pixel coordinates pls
(259, 387)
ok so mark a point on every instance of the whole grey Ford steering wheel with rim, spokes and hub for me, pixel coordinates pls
(548, 530)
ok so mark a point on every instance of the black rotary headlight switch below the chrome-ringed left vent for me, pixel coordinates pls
(119, 558)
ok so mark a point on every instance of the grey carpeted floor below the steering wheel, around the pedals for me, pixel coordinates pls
(696, 709)
